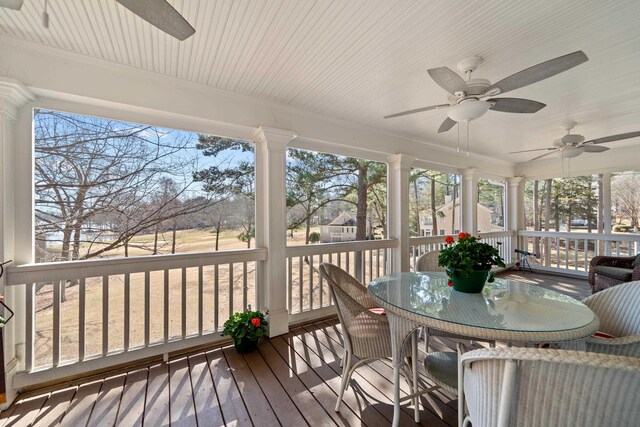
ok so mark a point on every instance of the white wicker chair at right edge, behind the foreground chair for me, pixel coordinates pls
(618, 309)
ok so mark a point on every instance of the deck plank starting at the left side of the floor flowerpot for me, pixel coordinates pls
(257, 404)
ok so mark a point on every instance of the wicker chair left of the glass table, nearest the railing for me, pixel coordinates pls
(366, 332)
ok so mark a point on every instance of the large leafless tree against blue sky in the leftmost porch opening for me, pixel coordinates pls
(95, 178)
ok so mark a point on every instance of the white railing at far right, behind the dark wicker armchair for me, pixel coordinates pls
(571, 252)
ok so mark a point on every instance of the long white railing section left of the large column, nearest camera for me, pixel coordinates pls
(81, 313)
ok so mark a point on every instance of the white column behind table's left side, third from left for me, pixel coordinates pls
(398, 209)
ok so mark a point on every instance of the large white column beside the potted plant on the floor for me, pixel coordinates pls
(271, 225)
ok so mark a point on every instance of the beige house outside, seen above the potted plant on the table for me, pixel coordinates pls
(447, 217)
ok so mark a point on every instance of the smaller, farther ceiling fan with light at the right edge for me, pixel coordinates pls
(572, 145)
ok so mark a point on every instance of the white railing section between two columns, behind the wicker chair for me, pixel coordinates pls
(308, 294)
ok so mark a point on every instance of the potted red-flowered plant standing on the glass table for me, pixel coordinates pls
(468, 262)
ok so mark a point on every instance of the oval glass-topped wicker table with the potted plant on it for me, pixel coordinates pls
(506, 310)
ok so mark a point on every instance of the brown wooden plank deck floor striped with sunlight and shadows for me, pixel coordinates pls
(293, 380)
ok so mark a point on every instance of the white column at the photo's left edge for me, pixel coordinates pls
(12, 95)
